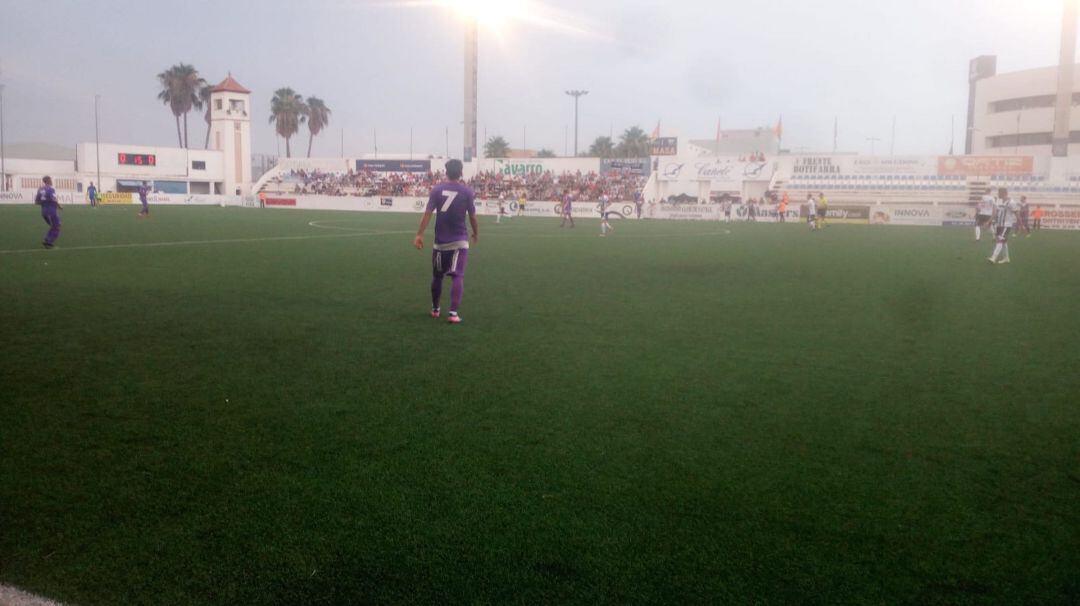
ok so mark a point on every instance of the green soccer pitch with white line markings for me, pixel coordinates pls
(244, 407)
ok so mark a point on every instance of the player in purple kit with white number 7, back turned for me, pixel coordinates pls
(453, 201)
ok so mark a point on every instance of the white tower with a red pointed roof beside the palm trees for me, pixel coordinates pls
(231, 132)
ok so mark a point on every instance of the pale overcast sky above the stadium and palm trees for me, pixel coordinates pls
(388, 66)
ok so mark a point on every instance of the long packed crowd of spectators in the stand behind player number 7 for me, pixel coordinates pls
(586, 187)
